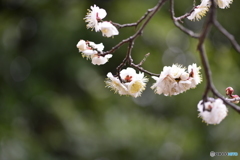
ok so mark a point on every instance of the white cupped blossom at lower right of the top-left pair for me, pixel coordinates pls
(108, 30)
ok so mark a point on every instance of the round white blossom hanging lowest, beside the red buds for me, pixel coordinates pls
(212, 112)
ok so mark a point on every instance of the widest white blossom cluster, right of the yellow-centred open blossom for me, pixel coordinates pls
(174, 79)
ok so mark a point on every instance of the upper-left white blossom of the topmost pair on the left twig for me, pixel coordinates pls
(93, 17)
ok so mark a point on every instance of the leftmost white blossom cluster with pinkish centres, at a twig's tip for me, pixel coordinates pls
(93, 51)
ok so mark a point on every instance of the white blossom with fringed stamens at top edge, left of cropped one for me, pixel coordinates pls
(200, 10)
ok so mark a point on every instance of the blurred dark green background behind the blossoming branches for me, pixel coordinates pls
(54, 104)
